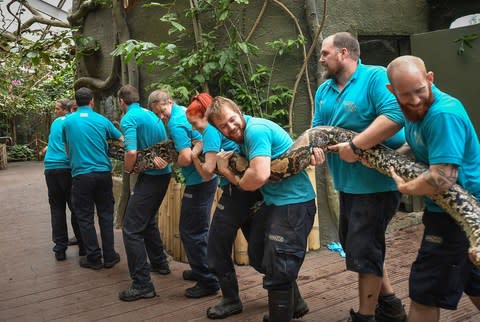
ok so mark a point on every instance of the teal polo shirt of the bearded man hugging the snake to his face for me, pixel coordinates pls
(263, 138)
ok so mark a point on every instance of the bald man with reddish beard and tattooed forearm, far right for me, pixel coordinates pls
(441, 135)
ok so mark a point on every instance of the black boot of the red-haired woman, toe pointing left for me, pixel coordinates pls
(230, 303)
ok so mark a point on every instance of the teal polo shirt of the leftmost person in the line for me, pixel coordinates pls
(56, 157)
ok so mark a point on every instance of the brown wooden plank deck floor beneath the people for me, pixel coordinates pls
(34, 287)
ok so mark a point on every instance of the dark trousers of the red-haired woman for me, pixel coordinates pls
(234, 210)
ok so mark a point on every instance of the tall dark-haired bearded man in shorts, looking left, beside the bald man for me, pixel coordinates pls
(355, 97)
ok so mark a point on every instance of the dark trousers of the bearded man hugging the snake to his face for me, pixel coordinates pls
(286, 231)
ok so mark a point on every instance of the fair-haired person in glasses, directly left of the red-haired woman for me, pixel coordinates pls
(198, 196)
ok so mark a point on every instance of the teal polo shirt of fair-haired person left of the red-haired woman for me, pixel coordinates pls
(182, 134)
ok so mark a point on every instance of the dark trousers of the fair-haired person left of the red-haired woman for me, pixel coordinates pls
(194, 222)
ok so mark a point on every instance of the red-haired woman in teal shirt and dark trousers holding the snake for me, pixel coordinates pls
(234, 209)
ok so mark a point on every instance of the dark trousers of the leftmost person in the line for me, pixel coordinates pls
(59, 185)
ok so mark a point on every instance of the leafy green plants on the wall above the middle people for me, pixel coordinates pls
(220, 61)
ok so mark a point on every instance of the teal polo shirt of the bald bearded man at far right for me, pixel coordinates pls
(446, 136)
